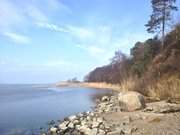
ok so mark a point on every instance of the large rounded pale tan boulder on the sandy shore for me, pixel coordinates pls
(131, 101)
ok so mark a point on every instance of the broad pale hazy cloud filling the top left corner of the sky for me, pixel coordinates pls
(20, 14)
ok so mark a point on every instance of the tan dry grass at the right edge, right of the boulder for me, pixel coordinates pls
(166, 87)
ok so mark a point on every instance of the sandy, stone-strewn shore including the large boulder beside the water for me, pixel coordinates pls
(123, 114)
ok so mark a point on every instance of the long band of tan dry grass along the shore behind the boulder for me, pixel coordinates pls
(167, 86)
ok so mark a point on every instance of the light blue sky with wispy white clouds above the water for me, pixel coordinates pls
(46, 41)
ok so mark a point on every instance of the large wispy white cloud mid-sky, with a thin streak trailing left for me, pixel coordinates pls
(100, 41)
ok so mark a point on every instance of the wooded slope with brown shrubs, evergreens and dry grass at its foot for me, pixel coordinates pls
(150, 70)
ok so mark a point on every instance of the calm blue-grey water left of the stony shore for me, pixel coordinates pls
(26, 108)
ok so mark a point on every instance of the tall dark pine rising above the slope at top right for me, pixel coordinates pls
(160, 17)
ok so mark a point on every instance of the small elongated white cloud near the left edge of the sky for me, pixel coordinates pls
(17, 38)
